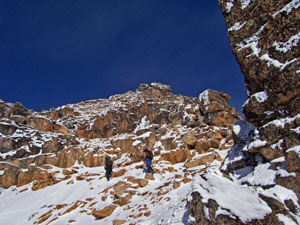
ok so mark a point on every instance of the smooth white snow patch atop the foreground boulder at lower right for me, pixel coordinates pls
(212, 185)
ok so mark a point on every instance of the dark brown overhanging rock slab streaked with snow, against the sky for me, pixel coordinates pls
(264, 36)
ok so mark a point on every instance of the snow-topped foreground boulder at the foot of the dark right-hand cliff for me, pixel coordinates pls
(216, 199)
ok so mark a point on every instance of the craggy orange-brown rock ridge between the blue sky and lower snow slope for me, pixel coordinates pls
(172, 126)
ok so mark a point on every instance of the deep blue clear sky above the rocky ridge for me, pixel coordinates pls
(57, 52)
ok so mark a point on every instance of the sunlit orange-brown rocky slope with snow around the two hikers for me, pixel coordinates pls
(51, 165)
